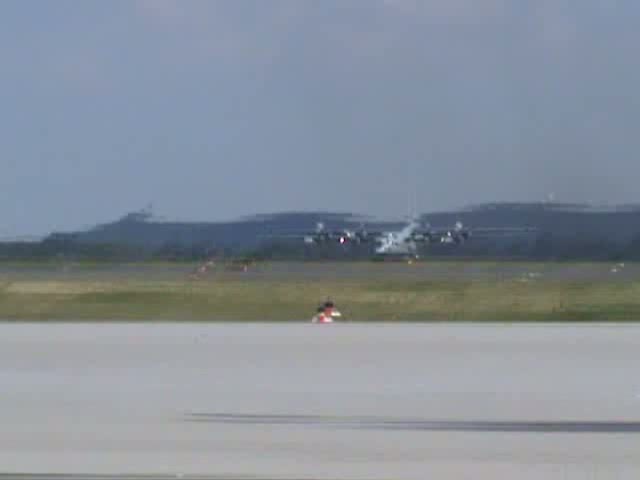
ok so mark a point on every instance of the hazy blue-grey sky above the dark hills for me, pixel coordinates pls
(215, 109)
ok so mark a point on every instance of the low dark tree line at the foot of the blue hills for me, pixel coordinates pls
(544, 246)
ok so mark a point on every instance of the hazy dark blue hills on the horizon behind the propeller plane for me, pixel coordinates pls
(563, 230)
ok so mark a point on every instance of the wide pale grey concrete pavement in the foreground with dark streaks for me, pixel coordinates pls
(320, 401)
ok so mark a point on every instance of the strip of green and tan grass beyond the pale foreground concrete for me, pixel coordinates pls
(368, 294)
